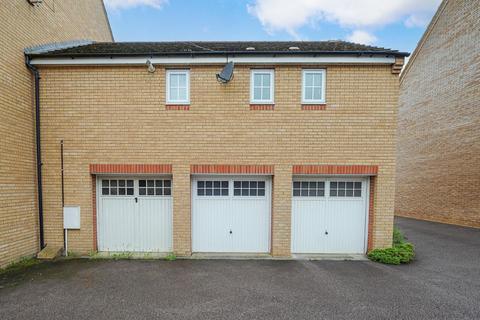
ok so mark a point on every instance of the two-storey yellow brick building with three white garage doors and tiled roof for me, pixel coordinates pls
(294, 154)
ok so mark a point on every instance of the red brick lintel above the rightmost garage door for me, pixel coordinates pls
(336, 169)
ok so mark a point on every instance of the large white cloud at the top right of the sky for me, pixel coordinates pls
(289, 15)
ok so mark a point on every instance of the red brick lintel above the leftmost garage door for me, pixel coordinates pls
(130, 168)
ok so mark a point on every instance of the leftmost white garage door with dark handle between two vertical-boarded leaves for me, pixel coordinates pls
(134, 215)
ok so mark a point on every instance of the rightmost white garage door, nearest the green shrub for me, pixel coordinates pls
(329, 215)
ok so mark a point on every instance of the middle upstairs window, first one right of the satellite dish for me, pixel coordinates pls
(262, 87)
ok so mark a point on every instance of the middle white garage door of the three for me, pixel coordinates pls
(231, 214)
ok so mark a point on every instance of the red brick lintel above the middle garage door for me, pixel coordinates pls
(229, 169)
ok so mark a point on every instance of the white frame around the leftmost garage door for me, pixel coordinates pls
(98, 205)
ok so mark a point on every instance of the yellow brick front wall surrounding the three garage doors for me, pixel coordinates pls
(117, 115)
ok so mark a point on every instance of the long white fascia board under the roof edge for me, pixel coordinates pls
(338, 59)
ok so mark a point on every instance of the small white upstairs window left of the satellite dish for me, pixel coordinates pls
(178, 87)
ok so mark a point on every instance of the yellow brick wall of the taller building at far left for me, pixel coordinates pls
(23, 25)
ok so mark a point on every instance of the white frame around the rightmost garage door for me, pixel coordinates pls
(327, 178)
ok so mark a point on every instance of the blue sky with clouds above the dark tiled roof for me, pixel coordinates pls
(398, 26)
